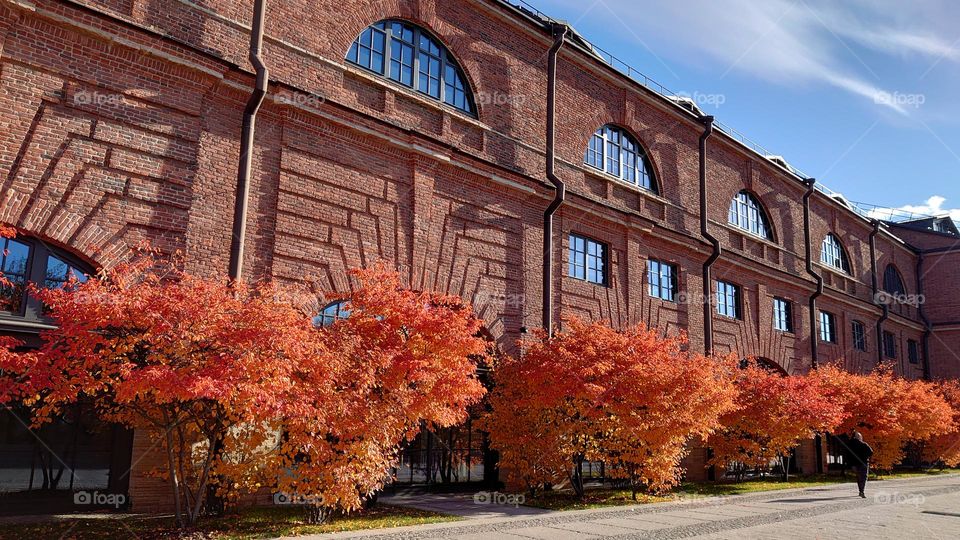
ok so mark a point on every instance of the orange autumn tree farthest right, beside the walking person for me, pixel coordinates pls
(890, 411)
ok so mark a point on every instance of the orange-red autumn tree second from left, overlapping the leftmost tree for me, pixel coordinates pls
(403, 361)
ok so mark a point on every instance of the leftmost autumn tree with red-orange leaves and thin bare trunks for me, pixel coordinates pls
(189, 360)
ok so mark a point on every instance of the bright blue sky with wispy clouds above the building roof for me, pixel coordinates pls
(863, 95)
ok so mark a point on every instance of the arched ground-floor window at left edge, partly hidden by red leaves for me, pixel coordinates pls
(28, 260)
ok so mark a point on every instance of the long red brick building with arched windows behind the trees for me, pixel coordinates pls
(423, 143)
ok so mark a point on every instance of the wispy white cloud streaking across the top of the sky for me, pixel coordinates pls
(793, 41)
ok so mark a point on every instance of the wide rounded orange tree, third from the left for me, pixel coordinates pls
(631, 399)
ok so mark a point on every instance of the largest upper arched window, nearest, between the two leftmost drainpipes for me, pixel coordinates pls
(410, 56)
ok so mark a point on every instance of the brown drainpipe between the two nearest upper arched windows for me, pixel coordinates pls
(559, 35)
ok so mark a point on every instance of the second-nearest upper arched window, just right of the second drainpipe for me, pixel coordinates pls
(617, 153)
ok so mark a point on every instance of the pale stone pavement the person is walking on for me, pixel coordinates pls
(920, 508)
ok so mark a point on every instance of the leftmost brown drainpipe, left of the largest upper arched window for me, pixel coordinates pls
(246, 141)
